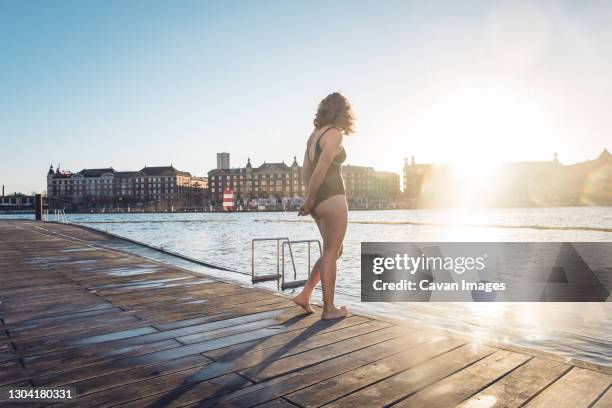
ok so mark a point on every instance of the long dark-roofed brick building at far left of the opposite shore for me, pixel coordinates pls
(107, 186)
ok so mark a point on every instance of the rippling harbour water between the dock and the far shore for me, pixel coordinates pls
(579, 330)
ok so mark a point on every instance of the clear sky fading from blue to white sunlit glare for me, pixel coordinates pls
(128, 83)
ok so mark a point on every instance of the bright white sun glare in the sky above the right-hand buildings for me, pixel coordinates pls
(486, 123)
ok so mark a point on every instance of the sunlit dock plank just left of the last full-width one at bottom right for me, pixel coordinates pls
(519, 386)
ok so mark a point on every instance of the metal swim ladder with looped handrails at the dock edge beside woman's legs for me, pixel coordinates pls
(279, 276)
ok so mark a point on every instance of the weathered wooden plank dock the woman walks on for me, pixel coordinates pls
(125, 330)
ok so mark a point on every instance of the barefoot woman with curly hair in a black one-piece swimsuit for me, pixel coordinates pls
(325, 197)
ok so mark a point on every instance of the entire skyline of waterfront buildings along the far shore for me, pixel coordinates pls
(425, 185)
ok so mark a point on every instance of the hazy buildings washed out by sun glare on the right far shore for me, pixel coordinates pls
(511, 184)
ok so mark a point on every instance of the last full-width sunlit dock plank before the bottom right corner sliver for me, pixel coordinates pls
(578, 388)
